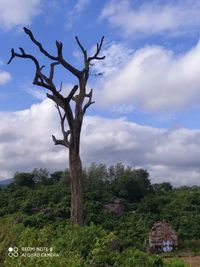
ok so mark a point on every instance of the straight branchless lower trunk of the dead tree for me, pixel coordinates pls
(77, 207)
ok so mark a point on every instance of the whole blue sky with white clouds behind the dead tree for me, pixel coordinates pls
(147, 111)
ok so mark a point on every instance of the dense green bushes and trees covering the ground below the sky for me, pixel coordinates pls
(35, 213)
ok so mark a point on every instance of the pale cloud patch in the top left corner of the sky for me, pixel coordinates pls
(14, 13)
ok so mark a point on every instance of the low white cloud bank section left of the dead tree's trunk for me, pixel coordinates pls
(25, 138)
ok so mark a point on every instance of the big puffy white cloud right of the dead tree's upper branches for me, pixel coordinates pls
(153, 79)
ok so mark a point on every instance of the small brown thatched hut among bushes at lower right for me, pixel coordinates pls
(162, 237)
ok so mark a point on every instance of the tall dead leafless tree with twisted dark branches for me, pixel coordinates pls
(73, 118)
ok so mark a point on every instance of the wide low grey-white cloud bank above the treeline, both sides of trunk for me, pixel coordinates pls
(169, 155)
